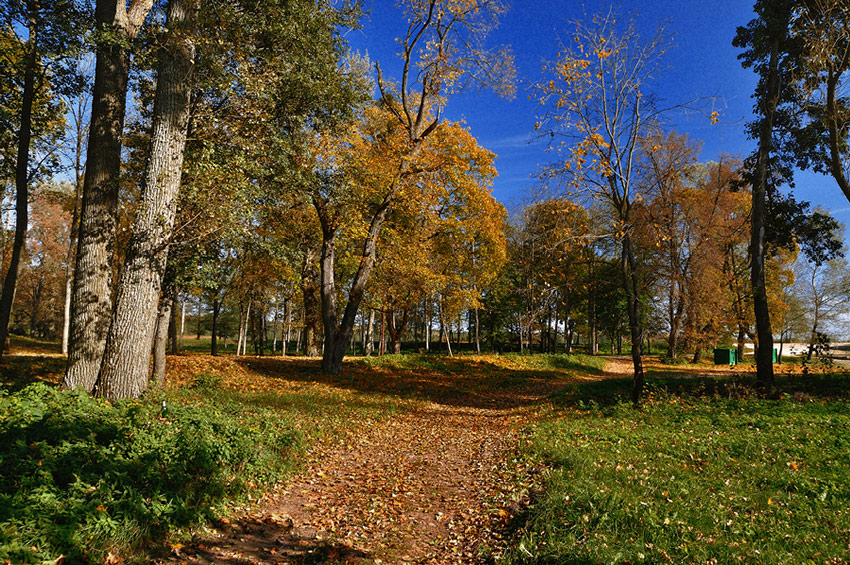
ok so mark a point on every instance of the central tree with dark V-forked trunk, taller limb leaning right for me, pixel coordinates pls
(441, 51)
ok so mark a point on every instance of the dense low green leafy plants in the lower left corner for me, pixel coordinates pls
(80, 477)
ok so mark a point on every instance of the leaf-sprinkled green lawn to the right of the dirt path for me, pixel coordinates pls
(696, 480)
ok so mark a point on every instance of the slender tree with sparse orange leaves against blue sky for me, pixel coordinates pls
(598, 101)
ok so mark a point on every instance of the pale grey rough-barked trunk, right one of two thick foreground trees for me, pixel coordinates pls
(124, 370)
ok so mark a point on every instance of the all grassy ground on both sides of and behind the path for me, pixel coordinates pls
(705, 470)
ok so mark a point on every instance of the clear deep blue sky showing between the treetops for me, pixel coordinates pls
(702, 63)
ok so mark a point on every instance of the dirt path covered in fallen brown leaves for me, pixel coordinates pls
(417, 487)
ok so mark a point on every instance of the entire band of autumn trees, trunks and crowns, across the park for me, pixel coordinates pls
(277, 192)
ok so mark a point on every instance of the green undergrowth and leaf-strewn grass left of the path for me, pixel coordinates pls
(80, 477)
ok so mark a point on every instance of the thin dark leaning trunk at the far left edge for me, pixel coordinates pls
(7, 296)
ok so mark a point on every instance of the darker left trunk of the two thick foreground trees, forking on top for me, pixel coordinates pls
(91, 296)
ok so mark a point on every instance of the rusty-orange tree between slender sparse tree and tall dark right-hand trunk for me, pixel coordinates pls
(691, 214)
